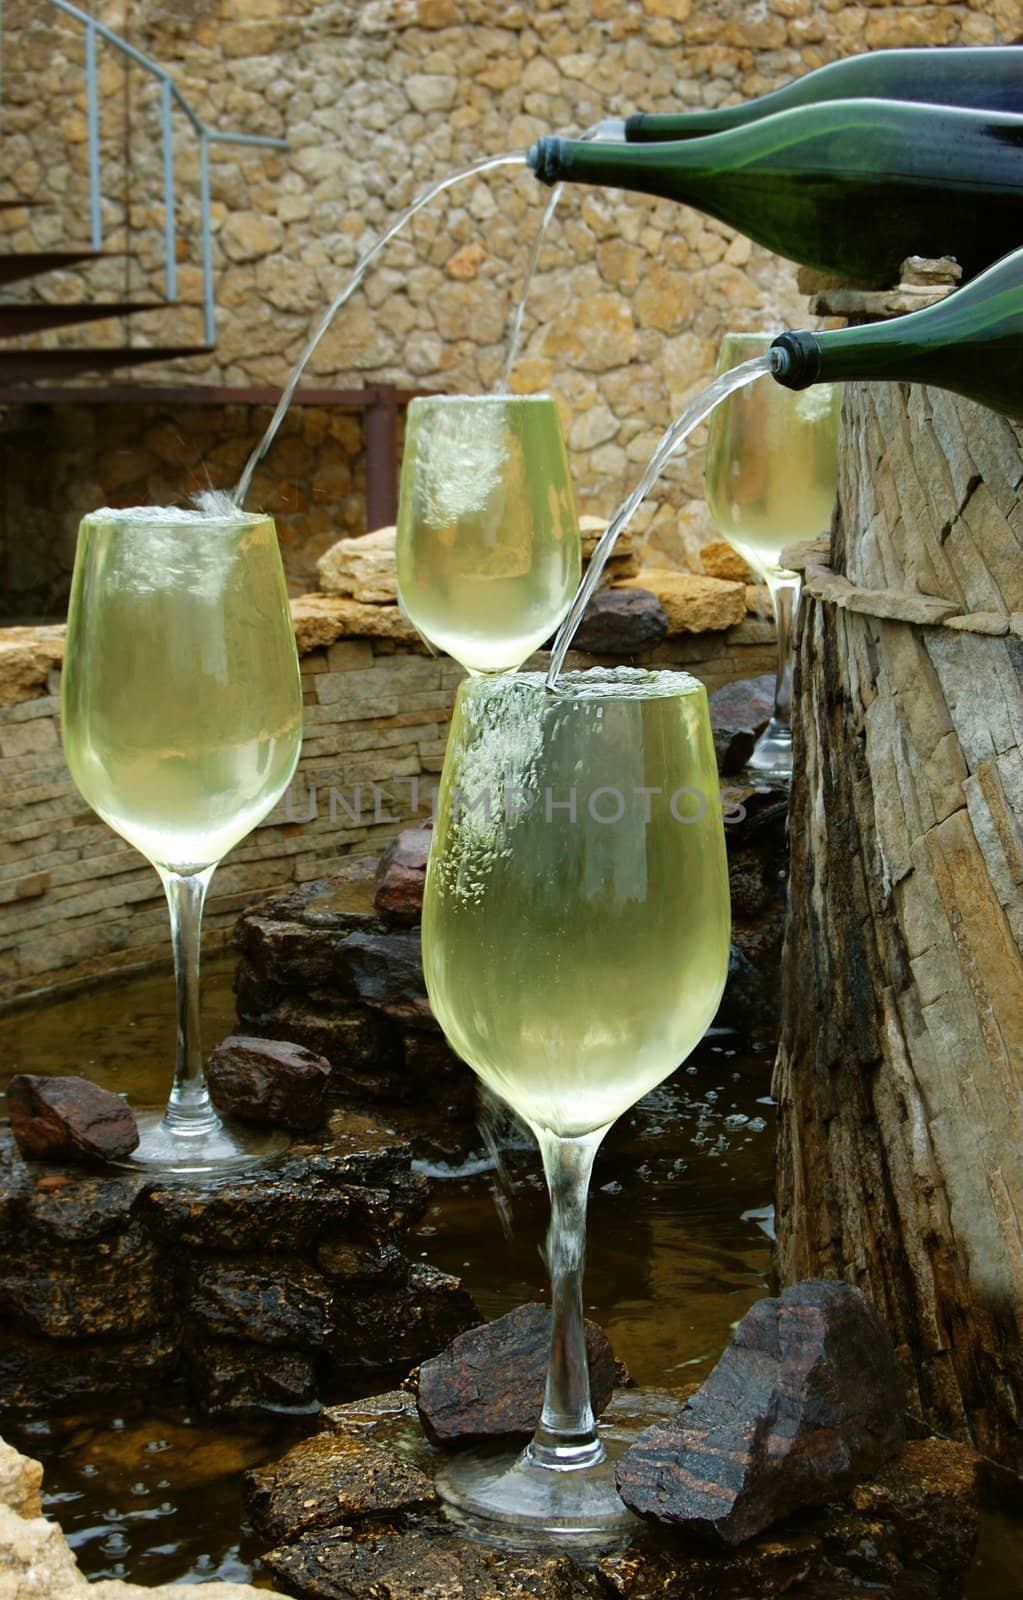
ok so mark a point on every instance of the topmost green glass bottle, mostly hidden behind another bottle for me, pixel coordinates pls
(976, 79)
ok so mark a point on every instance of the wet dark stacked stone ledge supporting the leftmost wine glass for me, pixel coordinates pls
(263, 1292)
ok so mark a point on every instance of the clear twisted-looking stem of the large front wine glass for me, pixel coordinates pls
(568, 1434)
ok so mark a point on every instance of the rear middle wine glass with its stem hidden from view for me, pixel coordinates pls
(487, 530)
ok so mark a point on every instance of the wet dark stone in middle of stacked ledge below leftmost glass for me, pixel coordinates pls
(262, 1300)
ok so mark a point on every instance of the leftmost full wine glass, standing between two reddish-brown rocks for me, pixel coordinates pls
(182, 721)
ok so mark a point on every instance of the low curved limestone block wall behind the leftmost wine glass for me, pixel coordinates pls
(78, 902)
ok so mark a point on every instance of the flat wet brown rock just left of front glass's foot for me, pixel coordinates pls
(335, 1479)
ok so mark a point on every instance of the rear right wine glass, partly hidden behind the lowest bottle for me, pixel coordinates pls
(772, 470)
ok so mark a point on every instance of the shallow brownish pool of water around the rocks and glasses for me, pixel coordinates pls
(680, 1249)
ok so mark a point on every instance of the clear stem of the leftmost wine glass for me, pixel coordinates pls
(190, 1110)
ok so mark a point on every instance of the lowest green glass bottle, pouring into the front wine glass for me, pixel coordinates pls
(971, 343)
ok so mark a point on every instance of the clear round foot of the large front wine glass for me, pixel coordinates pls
(515, 1503)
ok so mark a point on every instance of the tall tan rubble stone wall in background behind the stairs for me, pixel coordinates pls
(380, 98)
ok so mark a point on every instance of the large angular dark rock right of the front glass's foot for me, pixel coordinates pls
(806, 1399)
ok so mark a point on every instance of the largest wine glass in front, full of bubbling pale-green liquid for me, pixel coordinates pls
(576, 945)
